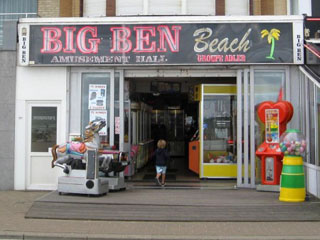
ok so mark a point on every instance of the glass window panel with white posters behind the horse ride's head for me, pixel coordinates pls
(95, 101)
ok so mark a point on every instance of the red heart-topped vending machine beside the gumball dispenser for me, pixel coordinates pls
(275, 116)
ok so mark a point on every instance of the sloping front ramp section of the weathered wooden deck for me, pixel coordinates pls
(128, 212)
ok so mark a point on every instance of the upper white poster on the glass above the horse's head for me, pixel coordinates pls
(97, 96)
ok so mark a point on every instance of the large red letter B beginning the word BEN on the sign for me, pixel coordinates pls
(120, 40)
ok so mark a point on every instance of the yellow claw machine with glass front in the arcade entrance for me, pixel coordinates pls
(217, 130)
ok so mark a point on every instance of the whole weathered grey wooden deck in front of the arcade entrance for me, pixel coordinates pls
(175, 205)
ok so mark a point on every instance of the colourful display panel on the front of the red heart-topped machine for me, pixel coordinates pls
(272, 125)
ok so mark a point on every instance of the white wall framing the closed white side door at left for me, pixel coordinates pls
(37, 84)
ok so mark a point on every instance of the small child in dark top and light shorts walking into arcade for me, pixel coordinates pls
(161, 160)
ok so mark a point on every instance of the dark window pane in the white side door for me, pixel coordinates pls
(43, 128)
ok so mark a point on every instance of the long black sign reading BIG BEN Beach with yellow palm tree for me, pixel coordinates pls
(165, 44)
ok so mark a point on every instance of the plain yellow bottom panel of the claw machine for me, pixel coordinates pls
(220, 171)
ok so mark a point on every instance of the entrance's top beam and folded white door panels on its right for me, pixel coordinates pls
(245, 86)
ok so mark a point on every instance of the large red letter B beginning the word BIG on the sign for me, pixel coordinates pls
(50, 39)
